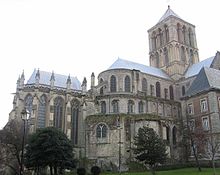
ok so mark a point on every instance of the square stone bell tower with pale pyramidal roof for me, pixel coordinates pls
(172, 45)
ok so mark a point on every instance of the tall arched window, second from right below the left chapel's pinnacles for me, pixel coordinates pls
(58, 112)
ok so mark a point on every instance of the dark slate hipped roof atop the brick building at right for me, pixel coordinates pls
(208, 78)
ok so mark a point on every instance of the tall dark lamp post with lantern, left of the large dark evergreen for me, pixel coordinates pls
(24, 113)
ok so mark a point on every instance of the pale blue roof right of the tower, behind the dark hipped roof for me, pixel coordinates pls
(195, 68)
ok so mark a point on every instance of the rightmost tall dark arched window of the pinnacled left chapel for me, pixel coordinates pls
(75, 104)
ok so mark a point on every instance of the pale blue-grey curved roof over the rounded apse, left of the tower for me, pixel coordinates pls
(125, 64)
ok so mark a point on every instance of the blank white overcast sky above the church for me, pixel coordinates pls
(78, 37)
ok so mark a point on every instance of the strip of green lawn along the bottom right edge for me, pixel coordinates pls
(186, 171)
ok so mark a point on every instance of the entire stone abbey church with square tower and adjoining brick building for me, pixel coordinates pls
(176, 91)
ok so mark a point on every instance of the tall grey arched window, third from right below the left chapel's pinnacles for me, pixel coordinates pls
(41, 120)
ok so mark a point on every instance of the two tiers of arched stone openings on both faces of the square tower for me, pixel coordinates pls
(184, 47)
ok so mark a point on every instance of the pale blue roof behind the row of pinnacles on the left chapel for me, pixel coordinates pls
(60, 80)
